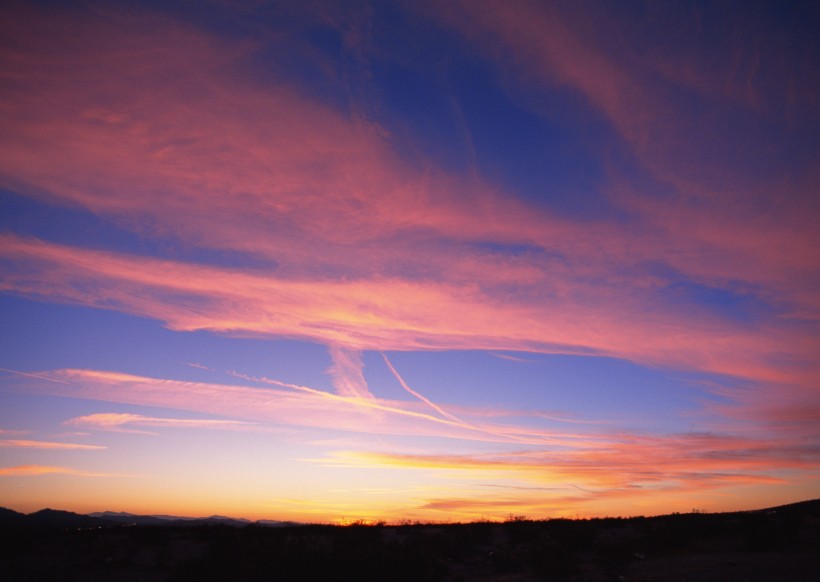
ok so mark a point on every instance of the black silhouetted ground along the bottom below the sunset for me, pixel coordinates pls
(777, 544)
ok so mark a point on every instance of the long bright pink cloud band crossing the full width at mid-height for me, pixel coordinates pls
(390, 313)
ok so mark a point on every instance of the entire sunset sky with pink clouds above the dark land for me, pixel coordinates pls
(409, 260)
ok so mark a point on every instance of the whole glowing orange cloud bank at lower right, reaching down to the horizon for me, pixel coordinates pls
(628, 475)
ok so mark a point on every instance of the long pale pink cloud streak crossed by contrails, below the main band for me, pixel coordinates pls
(284, 403)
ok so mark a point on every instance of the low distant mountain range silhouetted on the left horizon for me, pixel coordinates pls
(55, 518)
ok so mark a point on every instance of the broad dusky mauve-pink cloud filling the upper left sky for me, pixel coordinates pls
(174, 132)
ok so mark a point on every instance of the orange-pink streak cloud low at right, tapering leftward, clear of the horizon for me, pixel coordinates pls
(677, 462)
